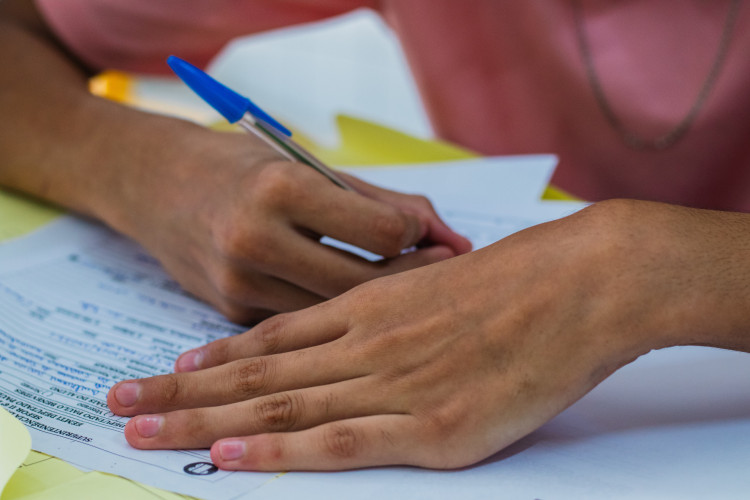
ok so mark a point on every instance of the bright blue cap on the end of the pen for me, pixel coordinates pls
(226, 101)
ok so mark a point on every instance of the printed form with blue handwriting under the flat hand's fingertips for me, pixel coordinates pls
(80, 309)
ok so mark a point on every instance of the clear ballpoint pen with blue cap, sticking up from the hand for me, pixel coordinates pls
(239, 109)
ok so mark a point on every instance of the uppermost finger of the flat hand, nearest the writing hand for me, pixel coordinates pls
(280, 333)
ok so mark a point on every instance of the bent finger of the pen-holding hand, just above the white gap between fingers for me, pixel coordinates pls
(348, 216)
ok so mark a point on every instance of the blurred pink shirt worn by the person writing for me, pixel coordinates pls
(506, 77)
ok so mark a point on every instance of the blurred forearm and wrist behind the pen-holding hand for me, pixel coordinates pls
(57, 141)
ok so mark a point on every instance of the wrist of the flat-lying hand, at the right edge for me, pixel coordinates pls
(680, 275)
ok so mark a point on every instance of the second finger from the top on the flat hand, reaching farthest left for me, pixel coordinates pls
(236, 381)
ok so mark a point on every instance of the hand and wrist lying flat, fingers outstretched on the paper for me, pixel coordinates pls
(445, 365)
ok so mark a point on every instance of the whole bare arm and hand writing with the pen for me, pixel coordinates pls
(232, 222)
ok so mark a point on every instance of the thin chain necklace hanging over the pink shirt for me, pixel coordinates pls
(632, 139)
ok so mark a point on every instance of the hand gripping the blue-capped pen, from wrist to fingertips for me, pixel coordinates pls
(239, 228)
